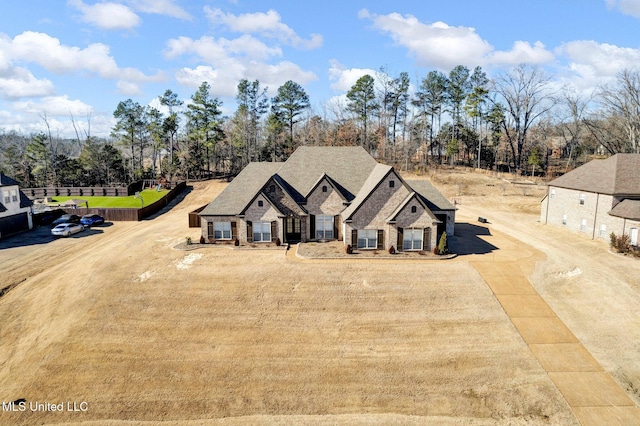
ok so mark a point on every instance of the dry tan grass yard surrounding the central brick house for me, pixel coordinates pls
(138, 331)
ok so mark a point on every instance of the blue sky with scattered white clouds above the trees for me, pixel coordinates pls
(68, 63)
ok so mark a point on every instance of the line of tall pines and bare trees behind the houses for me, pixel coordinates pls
(519, 120)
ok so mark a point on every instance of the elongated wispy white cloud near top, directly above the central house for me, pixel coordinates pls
(267, 24)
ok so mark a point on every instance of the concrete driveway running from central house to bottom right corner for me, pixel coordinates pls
(594, 397)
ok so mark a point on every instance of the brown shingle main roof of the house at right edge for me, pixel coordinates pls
(616, 175)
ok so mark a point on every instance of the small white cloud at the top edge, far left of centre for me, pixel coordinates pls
(107, 15)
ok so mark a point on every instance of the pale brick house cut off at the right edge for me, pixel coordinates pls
(597, 198)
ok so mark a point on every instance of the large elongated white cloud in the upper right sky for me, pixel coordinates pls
(441, 46)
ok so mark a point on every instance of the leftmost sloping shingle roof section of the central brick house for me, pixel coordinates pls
(241, 190)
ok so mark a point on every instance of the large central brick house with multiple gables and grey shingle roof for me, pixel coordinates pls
(329, 193)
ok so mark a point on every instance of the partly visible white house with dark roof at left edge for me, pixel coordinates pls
(15, 208)
